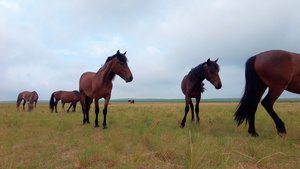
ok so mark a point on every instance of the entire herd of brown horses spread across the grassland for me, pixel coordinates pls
(277, 70)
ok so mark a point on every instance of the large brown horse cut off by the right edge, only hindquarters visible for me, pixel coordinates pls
(277, 70)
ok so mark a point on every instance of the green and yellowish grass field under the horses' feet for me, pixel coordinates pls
(147, 135)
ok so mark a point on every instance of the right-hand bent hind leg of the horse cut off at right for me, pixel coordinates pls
(268, 103)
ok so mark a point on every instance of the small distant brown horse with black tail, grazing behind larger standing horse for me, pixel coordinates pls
(65, 97)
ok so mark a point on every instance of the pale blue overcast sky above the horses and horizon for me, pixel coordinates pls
(46, 45)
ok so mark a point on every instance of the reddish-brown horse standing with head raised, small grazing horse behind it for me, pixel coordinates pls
(99, 85)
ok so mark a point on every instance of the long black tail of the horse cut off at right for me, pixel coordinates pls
(253, 92)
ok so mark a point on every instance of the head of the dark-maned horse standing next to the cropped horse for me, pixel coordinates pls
(211, 72)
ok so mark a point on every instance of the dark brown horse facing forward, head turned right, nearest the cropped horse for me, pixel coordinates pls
(192, 85)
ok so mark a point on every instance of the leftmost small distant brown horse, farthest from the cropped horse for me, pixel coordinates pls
(31, 97)
